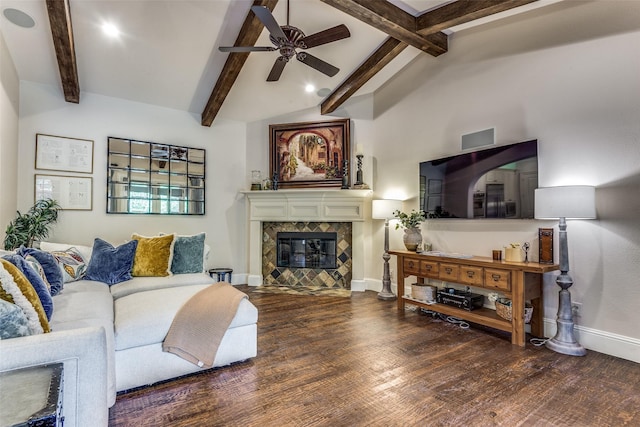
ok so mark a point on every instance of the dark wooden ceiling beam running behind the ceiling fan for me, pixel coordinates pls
(249, 33)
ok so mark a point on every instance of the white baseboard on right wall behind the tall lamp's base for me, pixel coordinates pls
(601, 341)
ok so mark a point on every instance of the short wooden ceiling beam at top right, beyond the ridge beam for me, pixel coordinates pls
(462, 11)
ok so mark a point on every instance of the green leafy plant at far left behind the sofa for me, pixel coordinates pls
(33, 225)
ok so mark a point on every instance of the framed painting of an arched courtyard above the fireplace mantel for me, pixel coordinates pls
(311, 154)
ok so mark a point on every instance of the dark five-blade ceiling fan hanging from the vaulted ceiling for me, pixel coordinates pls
(287, 39)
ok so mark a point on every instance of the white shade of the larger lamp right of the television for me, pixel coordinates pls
(577, 202)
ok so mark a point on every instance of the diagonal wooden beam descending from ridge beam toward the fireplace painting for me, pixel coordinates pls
(374, 63)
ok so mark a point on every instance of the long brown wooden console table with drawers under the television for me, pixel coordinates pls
(518, 281)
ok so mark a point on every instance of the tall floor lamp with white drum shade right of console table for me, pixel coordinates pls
(572, 202)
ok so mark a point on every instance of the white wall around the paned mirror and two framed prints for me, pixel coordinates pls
(96, 117)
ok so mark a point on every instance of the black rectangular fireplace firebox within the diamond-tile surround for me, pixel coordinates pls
(306, 250)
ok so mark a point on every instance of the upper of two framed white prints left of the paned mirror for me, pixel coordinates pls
(59, 153)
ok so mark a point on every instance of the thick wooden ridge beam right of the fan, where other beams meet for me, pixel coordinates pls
(394, 21)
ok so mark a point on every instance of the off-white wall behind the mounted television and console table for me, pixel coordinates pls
(580, 99)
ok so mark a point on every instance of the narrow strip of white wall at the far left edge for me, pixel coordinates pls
(9, 106)
